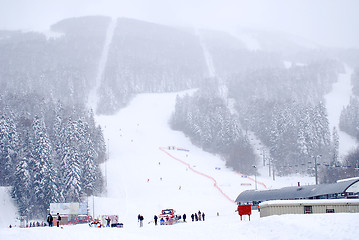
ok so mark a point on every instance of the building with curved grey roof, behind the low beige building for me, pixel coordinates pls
(341, 190)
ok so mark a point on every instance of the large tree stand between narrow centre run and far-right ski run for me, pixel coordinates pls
(285, 109)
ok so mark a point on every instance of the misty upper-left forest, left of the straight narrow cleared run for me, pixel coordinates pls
(63, 67)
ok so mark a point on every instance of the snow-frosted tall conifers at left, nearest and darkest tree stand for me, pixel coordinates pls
(50, 152)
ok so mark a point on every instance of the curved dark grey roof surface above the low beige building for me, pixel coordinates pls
(301, 192)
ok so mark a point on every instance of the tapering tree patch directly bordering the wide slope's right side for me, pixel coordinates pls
(206, 120)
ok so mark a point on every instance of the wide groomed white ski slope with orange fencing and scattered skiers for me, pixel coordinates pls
(144, 180)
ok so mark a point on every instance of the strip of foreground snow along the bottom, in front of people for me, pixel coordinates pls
(320, 226)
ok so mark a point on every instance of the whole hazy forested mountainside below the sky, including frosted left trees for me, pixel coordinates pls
(52, 86)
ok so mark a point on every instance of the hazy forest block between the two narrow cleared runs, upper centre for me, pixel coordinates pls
(147, 57)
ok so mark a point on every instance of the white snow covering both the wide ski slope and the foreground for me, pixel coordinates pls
(144, 178)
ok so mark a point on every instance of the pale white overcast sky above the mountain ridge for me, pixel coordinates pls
(327, 22)
